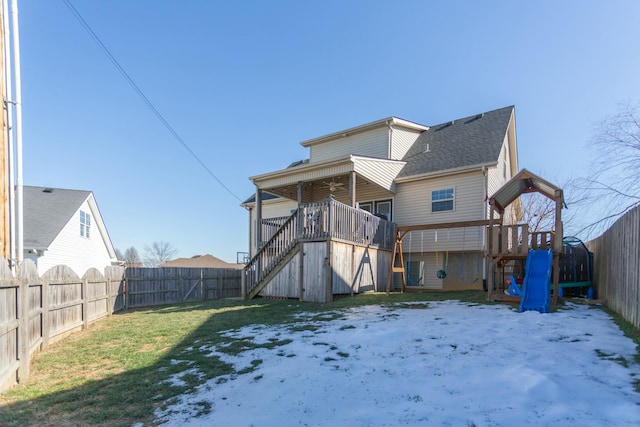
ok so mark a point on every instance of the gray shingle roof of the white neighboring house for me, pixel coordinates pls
(46, 212)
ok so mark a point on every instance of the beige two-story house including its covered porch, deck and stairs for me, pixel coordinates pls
(404, 172)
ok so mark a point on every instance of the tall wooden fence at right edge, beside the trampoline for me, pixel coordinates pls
(616, 266)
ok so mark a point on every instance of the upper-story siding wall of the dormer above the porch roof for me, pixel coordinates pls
(373, 143)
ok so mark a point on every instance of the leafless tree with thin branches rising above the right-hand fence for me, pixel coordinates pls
(614, 182)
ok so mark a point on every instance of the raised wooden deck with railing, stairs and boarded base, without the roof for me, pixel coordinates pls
(322, 249)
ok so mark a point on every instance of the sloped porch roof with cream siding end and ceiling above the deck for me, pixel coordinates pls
(284, 183)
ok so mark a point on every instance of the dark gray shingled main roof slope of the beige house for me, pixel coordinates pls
(473, 140)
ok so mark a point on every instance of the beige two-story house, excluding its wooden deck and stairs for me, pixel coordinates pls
(413, 174)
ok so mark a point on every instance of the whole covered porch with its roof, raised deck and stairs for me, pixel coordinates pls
(327, 239)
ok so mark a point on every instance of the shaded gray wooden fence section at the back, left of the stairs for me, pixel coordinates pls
(169, 285)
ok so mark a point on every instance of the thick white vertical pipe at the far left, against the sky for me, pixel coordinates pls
(18, 130)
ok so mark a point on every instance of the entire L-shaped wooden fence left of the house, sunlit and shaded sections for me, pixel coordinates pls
(37, 311)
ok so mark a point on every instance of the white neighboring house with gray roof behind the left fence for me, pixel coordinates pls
(65, 227)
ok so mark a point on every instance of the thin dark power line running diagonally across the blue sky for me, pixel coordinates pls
(142, 96)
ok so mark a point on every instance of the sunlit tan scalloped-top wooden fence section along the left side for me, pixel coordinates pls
(37, 311)
